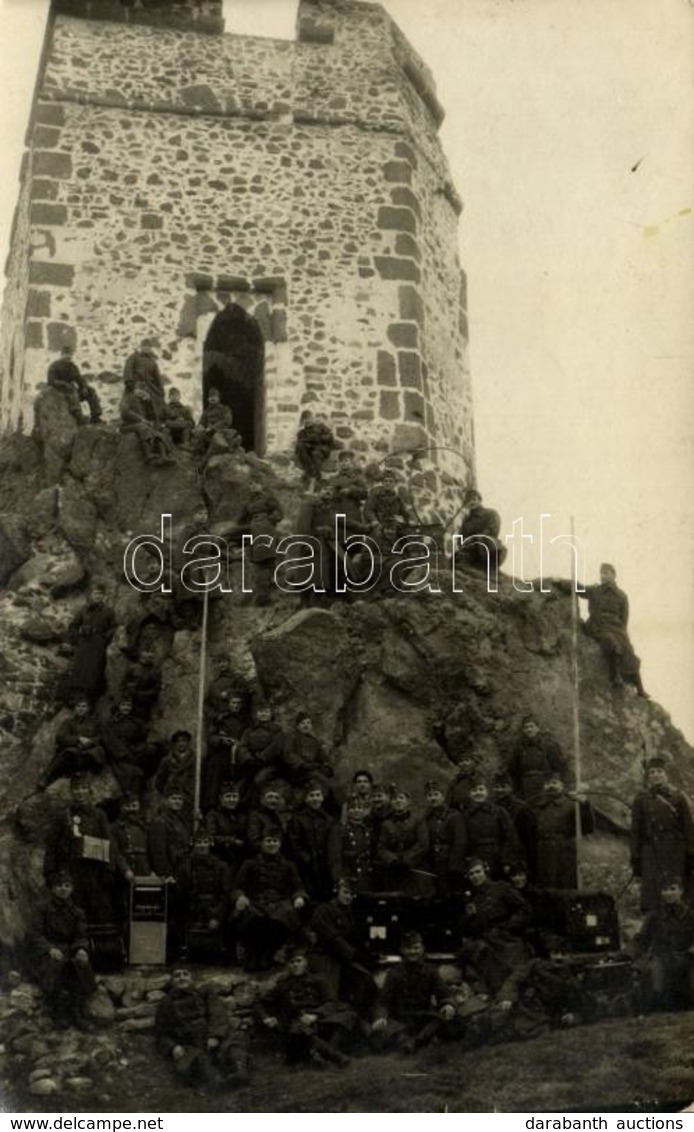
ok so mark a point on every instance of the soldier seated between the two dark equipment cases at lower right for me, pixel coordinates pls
(494, 928)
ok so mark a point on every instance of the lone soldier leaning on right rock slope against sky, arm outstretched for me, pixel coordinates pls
(609, 613)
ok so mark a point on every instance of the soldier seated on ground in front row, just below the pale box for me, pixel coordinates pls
(194, 1035)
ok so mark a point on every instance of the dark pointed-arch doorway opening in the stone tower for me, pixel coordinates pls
(234, 361)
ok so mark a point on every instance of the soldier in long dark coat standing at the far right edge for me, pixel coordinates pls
(663, 835)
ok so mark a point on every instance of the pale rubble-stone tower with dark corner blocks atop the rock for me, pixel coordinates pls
(279, 217)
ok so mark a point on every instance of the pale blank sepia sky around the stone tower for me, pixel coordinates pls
(570, 135)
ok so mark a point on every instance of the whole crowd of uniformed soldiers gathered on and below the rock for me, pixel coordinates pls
(270, 857)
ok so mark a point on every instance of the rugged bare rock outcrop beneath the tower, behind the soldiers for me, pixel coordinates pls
(400, 685)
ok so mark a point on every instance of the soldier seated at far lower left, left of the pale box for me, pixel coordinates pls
(59, 953)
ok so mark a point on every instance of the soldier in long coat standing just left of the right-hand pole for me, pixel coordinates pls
(556, 837)
